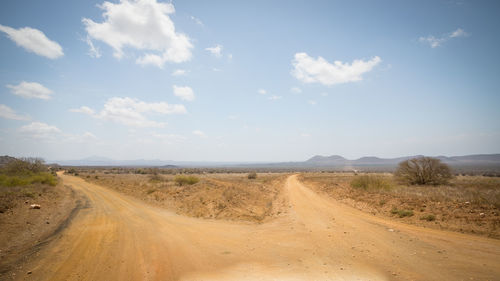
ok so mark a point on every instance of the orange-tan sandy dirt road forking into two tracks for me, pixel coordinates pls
(120, 238)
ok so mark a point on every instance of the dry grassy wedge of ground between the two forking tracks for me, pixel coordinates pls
(221, 196)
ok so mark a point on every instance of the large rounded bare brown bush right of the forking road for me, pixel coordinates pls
(423, 170)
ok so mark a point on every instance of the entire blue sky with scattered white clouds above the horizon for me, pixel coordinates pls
(248, 81)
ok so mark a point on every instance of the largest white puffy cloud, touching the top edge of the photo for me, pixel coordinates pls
(143, 25)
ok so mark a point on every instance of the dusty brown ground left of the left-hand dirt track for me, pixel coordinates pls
(24, 230)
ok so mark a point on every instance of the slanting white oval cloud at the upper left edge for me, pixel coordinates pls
(33, 40)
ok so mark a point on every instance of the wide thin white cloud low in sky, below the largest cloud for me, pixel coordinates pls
(132, 112)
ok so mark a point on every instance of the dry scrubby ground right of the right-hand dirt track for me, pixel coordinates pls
(469, 204)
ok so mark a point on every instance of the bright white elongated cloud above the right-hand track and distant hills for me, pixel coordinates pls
(310, 70)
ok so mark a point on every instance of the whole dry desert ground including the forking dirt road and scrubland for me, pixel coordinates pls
(161, 224)
